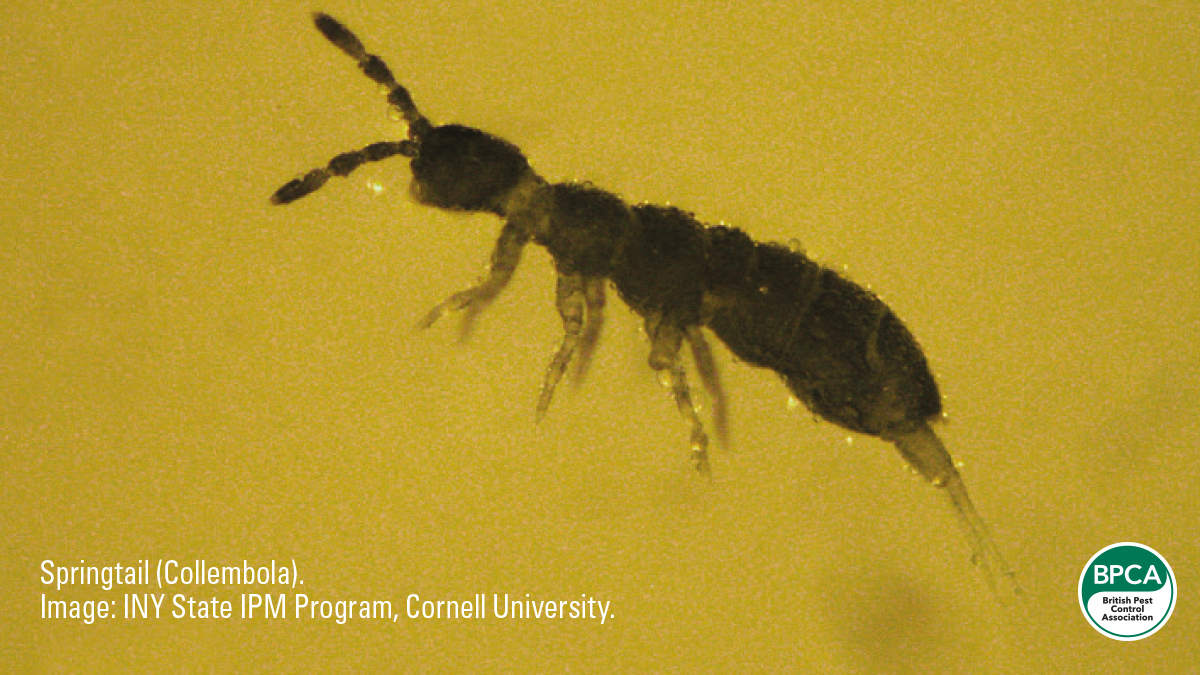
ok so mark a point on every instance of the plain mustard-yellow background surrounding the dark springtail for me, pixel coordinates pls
(190, 373)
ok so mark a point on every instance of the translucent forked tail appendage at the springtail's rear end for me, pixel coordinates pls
(926, 453)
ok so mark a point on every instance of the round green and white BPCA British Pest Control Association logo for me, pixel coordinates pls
(1127, 592)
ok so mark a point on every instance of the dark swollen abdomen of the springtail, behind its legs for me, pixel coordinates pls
(837, 345)
